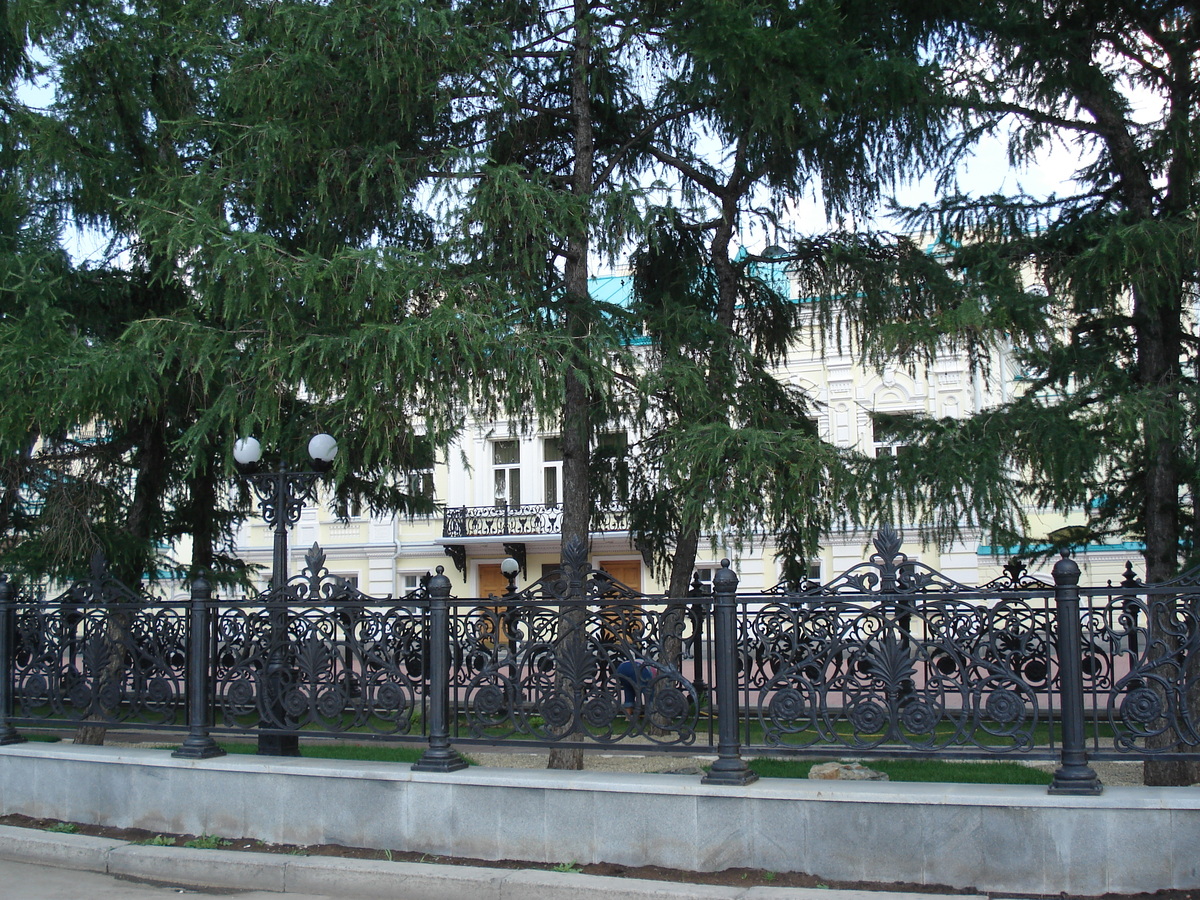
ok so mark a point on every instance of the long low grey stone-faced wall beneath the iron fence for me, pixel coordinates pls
(994, 838)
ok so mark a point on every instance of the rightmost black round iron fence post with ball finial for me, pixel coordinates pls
(1075, 776)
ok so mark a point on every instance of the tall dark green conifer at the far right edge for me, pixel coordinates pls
(1091, 295)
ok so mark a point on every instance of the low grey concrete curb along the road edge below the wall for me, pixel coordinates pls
(370, 879)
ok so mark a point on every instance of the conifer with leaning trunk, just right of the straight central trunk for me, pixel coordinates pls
(818, 99)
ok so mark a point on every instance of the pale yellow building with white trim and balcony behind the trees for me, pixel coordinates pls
(497, 491)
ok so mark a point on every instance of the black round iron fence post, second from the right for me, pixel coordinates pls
(730, 769)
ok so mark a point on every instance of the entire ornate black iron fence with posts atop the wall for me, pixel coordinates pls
(890, 658)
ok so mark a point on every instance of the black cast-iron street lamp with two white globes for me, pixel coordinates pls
(281, 497)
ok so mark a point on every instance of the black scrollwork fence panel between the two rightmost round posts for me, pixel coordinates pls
(925, 674)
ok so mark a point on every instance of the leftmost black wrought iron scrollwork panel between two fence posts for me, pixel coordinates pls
(121, 664)
